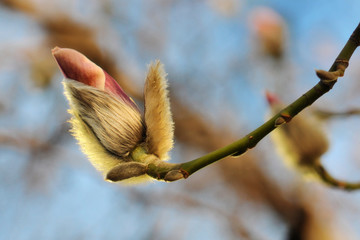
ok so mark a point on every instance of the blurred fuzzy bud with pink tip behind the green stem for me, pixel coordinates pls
(301, 142)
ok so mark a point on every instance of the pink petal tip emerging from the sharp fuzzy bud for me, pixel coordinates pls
(76, 66)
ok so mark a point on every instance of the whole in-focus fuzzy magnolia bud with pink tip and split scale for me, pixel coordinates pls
(107, 123)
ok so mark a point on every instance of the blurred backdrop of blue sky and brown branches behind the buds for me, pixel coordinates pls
(221, 56)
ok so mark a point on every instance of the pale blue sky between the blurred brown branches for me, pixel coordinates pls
(213, 66)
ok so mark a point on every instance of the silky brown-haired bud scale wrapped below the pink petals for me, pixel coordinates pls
(116, 124)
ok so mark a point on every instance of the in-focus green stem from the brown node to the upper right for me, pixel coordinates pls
(327, 81)
